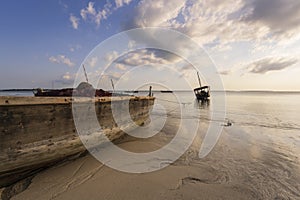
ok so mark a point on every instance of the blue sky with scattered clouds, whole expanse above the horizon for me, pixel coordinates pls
(253, 44)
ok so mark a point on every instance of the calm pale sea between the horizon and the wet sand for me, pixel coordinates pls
(271, 109)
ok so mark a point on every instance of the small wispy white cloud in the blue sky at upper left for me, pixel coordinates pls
(90, 13)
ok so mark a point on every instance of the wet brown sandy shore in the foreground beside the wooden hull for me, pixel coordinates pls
(239, 167)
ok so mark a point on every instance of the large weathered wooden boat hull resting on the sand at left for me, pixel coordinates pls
(36, 132)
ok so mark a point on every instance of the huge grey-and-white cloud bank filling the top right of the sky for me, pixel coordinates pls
(221, 22)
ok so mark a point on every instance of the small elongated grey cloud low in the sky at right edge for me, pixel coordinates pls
(265, 65)
